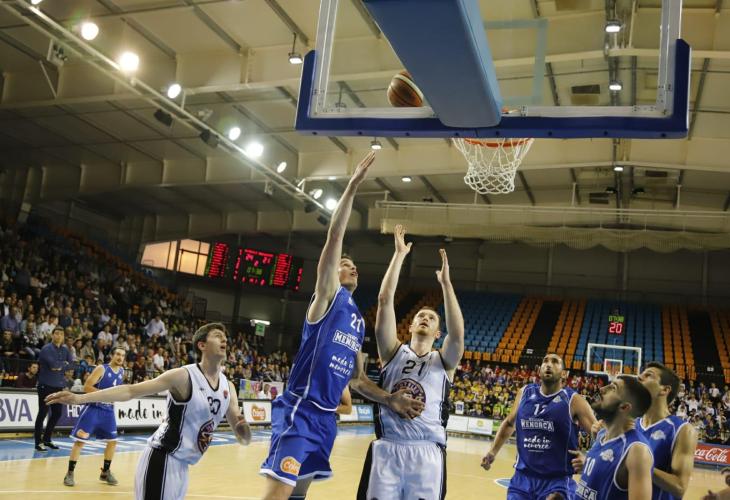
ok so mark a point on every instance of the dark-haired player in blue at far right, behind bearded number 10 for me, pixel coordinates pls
(672, 439)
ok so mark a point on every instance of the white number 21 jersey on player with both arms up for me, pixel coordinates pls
(426, 379)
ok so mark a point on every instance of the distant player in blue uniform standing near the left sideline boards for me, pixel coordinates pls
(97, 420)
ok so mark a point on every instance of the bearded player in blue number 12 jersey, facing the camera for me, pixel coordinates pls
(545, 417)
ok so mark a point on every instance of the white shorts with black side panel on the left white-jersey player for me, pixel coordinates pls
(160, 476)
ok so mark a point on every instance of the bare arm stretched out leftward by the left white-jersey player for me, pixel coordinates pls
(170, 380)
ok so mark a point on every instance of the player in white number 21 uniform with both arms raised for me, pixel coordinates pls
(408, 460)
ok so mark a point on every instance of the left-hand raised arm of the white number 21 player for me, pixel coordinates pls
(385, 322)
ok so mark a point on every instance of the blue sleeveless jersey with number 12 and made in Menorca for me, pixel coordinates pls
(545, 432)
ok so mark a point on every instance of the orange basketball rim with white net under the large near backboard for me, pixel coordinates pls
(492, 163)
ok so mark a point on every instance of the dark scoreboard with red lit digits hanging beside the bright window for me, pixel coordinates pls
(254, 267)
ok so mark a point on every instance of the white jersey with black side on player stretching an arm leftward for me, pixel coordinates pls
(188, 428)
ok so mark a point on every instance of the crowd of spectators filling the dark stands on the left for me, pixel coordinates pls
(52, 279)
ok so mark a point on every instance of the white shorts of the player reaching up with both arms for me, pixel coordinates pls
(414, 470)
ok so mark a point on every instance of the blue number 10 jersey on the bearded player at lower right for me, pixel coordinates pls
(598, 480)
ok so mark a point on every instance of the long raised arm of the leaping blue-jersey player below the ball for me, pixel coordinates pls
(329, 260)
